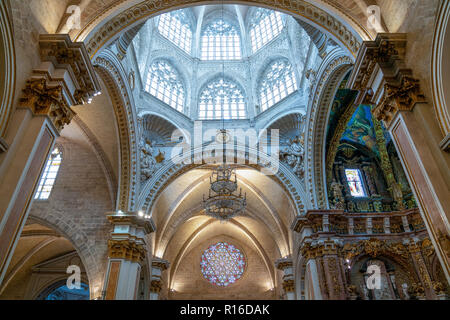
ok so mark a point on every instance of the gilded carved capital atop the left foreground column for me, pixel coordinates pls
(65, 78)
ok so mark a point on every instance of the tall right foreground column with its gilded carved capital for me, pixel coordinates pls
(398, 98)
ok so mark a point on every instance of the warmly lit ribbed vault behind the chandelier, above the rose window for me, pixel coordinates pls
(179, 216)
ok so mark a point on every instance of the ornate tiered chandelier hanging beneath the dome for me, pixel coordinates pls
(223, 201)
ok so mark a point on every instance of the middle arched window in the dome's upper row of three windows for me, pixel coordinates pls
(220, 41)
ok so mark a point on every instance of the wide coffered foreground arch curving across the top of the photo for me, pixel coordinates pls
(342, 28)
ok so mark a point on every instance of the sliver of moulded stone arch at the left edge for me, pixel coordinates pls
(7, 69)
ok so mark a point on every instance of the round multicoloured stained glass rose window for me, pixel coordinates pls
(222, 264)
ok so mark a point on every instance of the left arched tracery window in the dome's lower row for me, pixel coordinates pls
(163, 82)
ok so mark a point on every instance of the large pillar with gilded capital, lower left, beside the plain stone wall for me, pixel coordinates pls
(126, 253)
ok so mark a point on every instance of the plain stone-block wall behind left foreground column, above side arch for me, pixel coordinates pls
(77, 207)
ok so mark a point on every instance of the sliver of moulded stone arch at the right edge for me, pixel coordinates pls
(440, 65)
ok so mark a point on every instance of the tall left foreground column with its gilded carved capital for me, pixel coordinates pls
(65, 78)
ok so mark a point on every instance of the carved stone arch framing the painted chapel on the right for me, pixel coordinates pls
(330, 75)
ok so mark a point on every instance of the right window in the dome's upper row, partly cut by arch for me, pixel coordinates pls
(264, 26)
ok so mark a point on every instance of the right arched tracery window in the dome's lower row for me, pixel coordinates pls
(277, 83)
